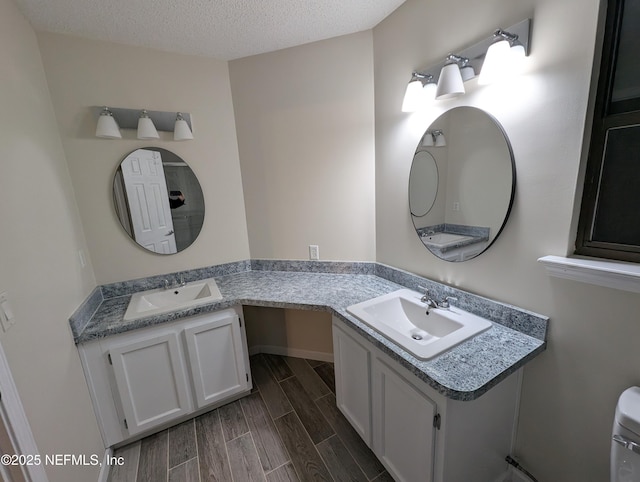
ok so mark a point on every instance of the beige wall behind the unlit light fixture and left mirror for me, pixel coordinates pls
(82, 73)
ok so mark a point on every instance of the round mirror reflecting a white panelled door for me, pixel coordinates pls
(158, 200)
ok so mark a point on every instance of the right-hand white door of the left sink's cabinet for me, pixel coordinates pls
(217, 358)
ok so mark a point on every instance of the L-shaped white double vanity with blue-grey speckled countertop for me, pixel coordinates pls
(448, 416)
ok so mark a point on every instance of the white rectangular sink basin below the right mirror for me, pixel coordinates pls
(401, 317)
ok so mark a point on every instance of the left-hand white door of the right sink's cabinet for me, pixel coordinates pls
(353, 375)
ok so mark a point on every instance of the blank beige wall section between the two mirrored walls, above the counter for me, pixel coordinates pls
(305, 126)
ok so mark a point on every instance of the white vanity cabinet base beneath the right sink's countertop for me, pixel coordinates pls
(417, 433)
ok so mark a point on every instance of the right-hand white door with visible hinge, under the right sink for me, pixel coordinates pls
(403, 432)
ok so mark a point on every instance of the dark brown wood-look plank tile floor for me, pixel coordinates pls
(289, 429)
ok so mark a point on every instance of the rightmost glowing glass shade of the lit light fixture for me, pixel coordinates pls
(503, 55)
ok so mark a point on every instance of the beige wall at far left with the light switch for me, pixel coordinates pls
(40, 268)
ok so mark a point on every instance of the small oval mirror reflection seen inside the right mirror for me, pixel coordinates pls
(423, 183)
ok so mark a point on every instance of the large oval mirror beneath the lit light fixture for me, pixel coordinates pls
(469, 189)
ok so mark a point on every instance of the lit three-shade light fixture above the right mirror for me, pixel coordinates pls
(457, 69)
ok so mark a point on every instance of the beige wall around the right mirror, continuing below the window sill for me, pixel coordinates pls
(570, 391)
